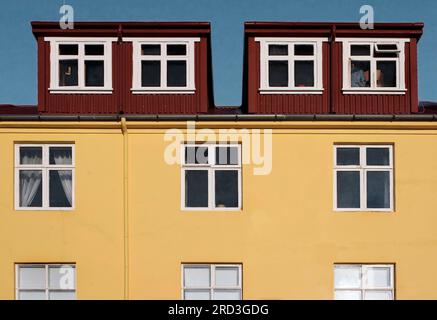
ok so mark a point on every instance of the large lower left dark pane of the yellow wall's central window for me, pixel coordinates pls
(196, 188)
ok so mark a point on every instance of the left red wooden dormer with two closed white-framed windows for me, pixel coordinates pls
(124, 67)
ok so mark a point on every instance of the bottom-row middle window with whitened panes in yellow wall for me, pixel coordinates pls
(211, 282)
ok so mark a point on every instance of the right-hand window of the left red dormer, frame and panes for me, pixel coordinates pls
(163, 65)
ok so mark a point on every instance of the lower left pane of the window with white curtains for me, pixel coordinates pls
(30, 188)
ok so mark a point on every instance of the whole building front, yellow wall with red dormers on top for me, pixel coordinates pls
(126, 182)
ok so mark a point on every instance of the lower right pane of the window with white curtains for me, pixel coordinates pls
(60, 188)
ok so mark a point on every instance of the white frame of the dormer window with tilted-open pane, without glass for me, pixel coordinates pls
(400, 89)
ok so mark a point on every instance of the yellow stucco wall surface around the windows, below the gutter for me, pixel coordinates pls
(287, 235)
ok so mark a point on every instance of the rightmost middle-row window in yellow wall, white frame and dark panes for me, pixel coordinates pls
(363, 178)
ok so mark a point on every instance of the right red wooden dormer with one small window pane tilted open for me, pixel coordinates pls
(321, 68)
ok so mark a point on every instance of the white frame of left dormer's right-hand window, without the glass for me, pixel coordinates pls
(137, 58)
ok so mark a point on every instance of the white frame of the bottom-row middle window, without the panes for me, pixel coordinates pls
(212, 279)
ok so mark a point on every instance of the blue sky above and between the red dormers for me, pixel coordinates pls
(18, 47)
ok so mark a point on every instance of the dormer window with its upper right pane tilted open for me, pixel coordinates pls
(374, 65)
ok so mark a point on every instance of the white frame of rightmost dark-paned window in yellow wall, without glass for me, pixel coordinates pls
(362, 168)
